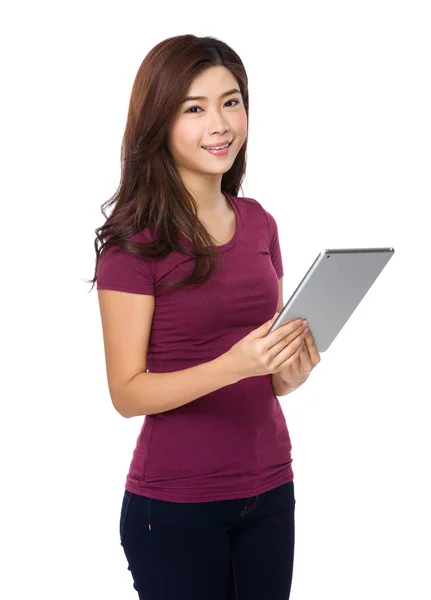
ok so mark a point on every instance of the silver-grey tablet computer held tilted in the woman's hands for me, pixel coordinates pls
(331, 290)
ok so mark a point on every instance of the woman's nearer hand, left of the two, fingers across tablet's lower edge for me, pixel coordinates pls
(258, 355)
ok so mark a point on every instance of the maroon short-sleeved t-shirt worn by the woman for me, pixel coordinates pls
(233, 442)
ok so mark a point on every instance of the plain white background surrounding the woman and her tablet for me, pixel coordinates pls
(339, 152)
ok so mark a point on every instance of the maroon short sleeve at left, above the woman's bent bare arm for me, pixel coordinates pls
(124, 272)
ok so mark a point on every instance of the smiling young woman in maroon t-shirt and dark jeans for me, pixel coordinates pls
(208, 506)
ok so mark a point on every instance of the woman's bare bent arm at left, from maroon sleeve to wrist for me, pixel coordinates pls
(126, 323)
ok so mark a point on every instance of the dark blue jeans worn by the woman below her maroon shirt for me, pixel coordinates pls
(222, 550)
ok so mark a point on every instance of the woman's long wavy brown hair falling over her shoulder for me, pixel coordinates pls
(151, 193)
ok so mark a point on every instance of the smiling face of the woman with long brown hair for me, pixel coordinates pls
(208, 122)
